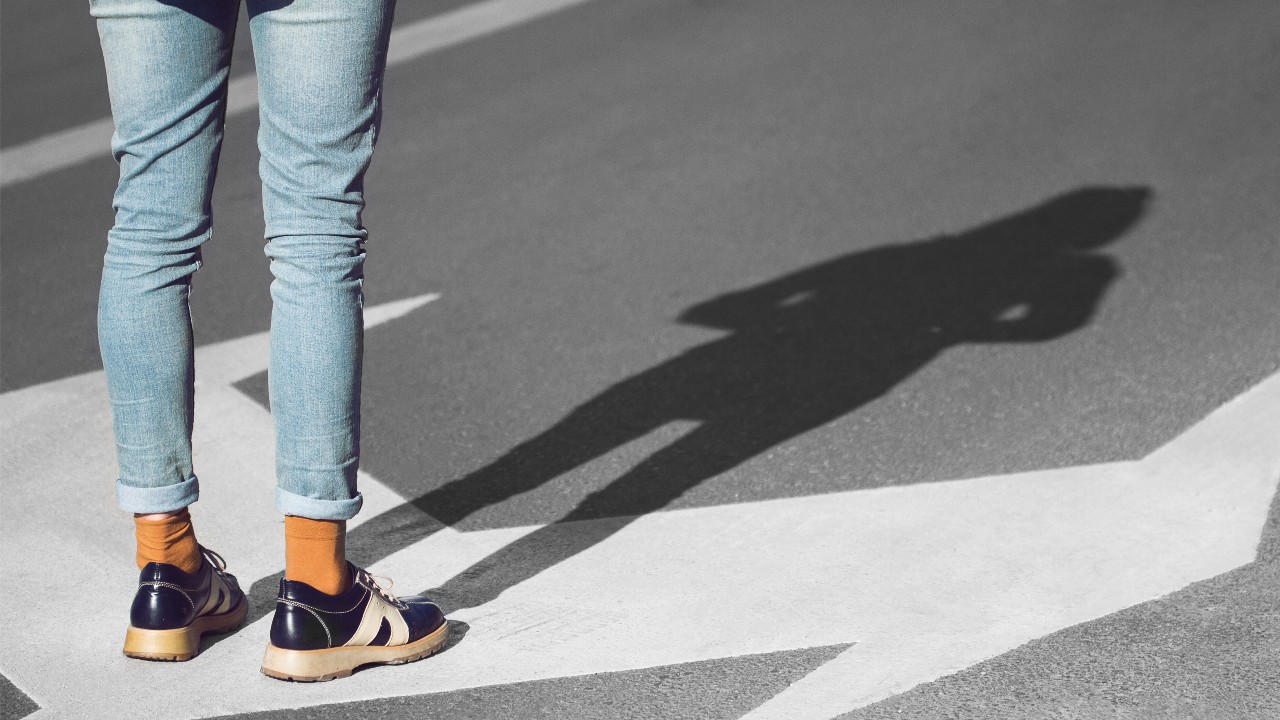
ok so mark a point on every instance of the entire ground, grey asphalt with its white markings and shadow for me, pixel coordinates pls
(724, 359)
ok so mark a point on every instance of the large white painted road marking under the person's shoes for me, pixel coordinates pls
(927, 580)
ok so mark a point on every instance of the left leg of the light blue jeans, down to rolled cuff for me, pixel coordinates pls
(167, 74)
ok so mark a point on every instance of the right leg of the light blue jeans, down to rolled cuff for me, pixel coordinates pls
(321, 66)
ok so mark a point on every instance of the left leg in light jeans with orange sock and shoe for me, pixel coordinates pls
(167, 69)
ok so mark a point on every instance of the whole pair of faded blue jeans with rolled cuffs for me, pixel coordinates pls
(321, 69)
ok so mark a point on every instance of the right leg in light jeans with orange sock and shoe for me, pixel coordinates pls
(321, 69)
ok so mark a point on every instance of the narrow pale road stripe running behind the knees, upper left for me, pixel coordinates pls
(93, 140)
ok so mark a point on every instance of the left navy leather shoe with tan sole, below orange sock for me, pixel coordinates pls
(173, 609)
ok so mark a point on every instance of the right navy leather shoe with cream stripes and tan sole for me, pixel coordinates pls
(323, 637)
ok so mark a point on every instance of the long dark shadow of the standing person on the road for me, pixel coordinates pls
(803, 350)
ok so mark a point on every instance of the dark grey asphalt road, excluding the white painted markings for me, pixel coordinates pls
(694, 254)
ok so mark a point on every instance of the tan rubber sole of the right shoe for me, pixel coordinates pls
(317, 666)
